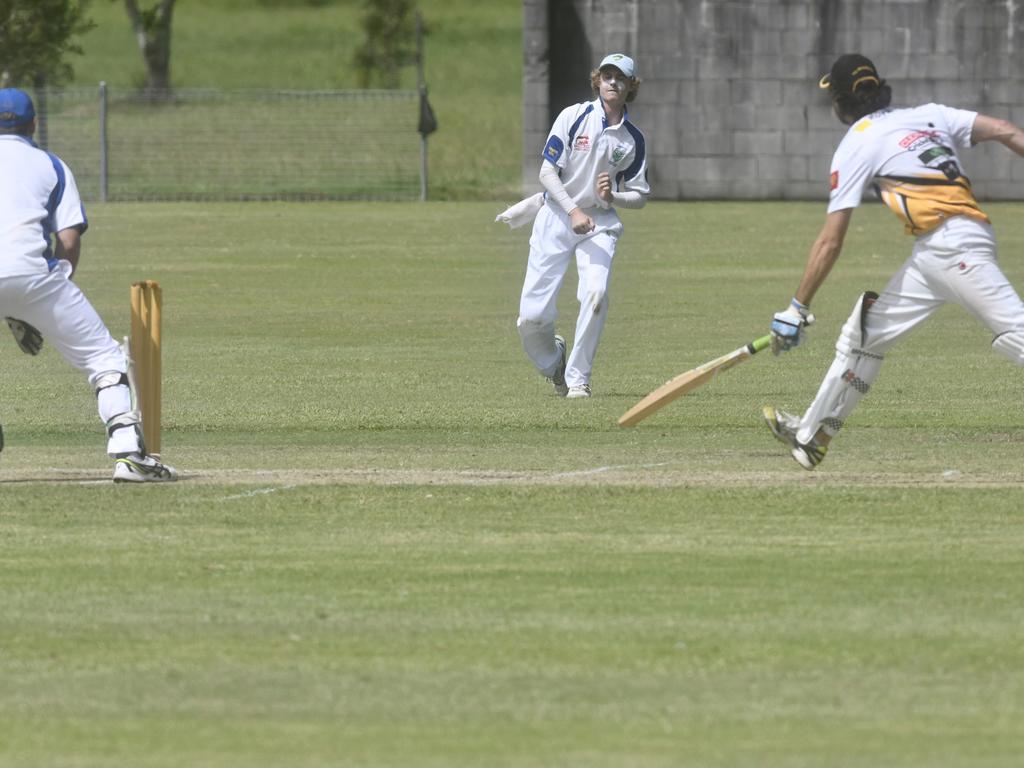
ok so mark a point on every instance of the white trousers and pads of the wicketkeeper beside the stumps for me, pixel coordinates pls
(64, 316)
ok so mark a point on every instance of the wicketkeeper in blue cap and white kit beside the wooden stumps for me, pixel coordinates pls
(41, 223)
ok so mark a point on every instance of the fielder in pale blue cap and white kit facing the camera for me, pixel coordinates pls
(594, 159)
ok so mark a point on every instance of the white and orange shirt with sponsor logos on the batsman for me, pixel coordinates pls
(912, 156)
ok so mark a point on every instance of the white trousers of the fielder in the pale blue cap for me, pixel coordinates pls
(552, 246)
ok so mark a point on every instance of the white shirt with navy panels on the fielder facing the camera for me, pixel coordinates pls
(583, 145)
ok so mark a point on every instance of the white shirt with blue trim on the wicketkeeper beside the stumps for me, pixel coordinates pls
(38, 198)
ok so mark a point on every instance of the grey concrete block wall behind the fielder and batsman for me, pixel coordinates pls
(730, 102)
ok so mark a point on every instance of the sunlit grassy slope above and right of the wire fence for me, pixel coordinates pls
(474, 69)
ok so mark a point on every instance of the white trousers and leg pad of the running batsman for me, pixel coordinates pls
(956, 264)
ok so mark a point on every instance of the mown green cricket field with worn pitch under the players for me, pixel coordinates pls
(393, 546)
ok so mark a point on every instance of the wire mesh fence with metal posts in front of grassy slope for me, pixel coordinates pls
(241, 146)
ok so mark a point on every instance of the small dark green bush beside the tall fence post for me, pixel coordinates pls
(390, 42)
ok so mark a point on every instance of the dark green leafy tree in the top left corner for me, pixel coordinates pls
(36, 37)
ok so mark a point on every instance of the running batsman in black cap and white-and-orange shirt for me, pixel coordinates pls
(912, 155)
